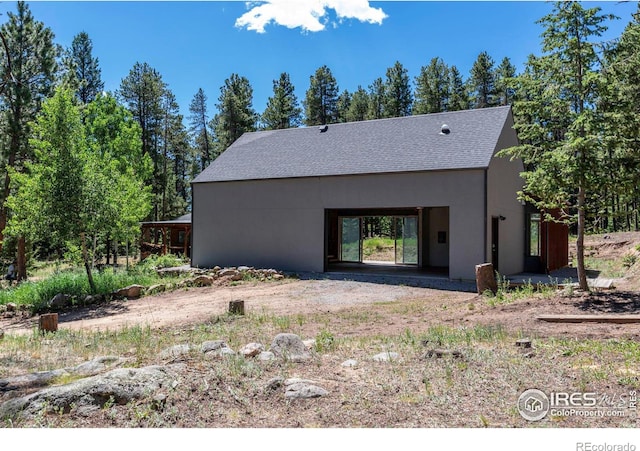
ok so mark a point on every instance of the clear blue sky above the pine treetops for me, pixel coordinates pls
(199, 44)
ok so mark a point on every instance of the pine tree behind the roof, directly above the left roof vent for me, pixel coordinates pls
(321, 99)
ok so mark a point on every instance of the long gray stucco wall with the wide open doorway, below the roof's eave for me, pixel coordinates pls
(280, 223)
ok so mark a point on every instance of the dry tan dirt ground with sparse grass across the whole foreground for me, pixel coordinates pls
(361, 319)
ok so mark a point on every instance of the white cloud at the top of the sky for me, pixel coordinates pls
(310, 15)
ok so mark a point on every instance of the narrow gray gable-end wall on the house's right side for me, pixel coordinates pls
(504, 181)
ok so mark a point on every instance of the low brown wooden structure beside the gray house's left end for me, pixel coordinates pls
(162, 237)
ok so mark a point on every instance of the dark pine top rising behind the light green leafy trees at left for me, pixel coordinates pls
(81, 69)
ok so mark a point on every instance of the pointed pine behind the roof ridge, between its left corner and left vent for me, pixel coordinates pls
(282, 110)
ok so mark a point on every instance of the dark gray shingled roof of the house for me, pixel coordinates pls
(404, 144)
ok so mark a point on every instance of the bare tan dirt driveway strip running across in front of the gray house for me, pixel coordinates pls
(385, 309)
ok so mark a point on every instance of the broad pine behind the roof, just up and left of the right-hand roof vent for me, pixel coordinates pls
(432, 88)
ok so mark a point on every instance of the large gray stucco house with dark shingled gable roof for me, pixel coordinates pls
(296, 199)
